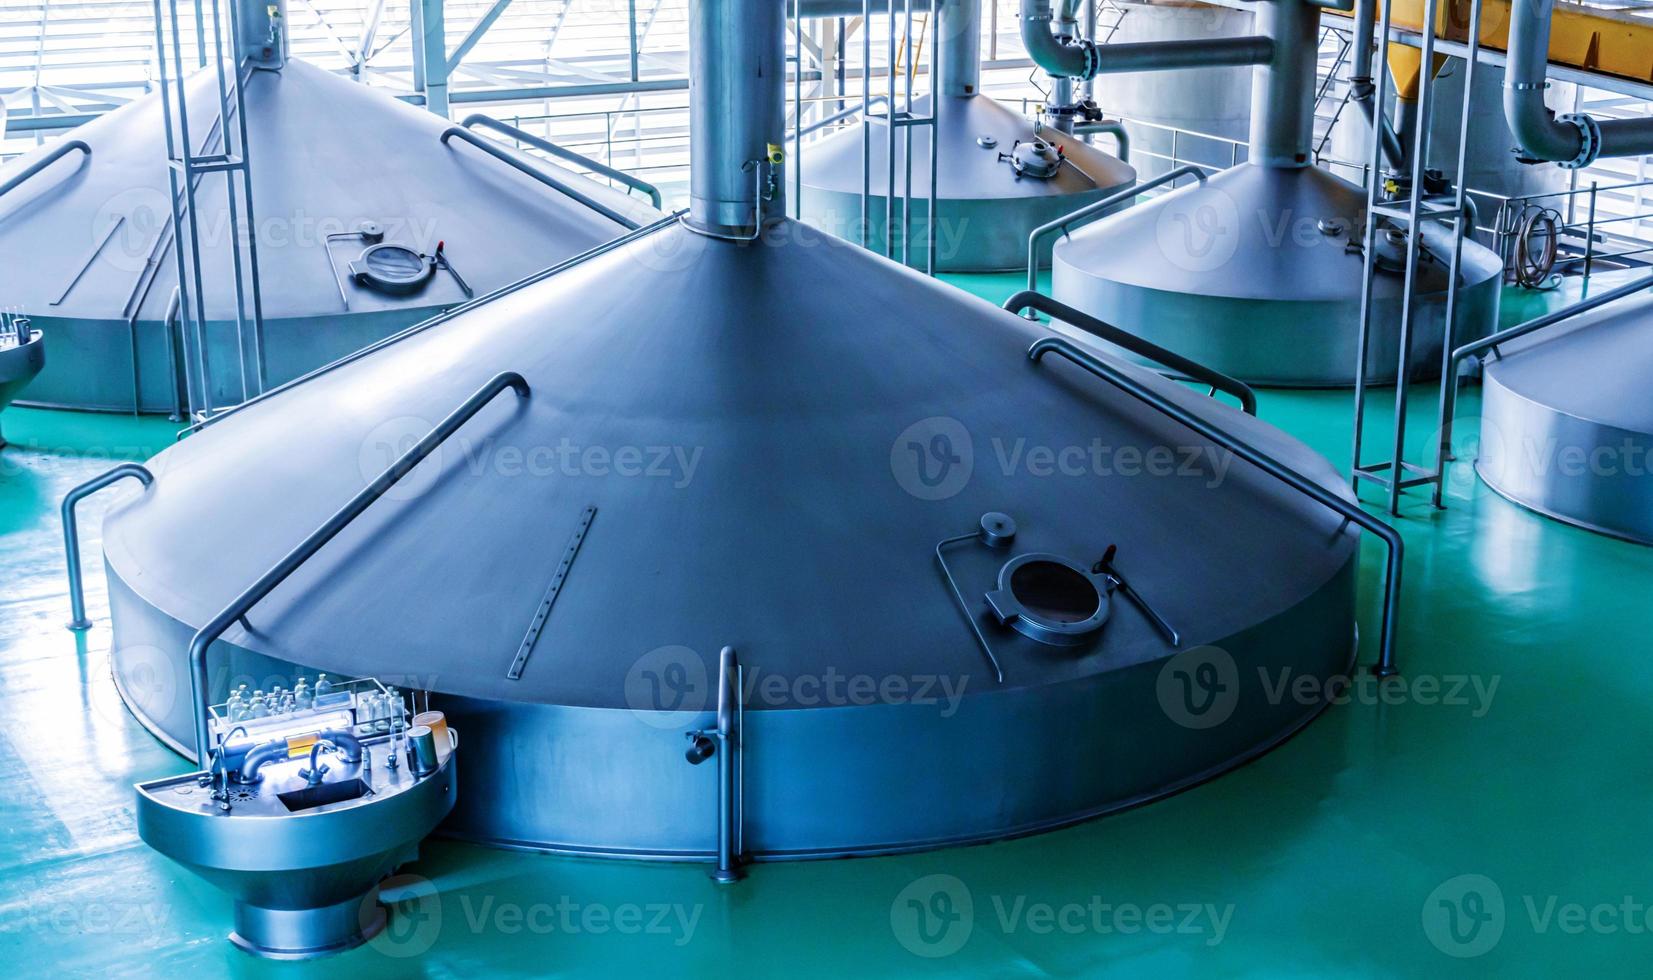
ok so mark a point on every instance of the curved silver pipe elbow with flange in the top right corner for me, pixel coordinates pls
(1574, 140)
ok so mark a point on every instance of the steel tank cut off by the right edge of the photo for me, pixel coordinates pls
(1568, 422)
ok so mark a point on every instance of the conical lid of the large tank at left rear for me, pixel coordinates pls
(328, 158)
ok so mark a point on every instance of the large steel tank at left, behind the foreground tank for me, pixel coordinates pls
(88, 244)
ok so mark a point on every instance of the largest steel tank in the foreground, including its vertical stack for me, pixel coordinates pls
(736, 435)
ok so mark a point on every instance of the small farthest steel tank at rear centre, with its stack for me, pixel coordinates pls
(986, 209)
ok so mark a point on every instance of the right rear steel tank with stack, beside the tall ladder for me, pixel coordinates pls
(1257, 272)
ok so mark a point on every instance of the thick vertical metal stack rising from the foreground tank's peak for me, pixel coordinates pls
(738, 125)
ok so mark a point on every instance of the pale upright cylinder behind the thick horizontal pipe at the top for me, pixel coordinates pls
(1212, 102)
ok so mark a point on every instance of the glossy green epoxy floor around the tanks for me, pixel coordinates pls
(1345, 852)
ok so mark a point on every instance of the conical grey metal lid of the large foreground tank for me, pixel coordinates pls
(765, 445)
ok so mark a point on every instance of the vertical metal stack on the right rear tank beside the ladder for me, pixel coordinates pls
(1284, 88)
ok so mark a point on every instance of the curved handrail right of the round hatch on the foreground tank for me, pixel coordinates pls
(1346, 510)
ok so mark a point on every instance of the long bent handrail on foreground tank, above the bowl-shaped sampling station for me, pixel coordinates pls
(322, 536)
